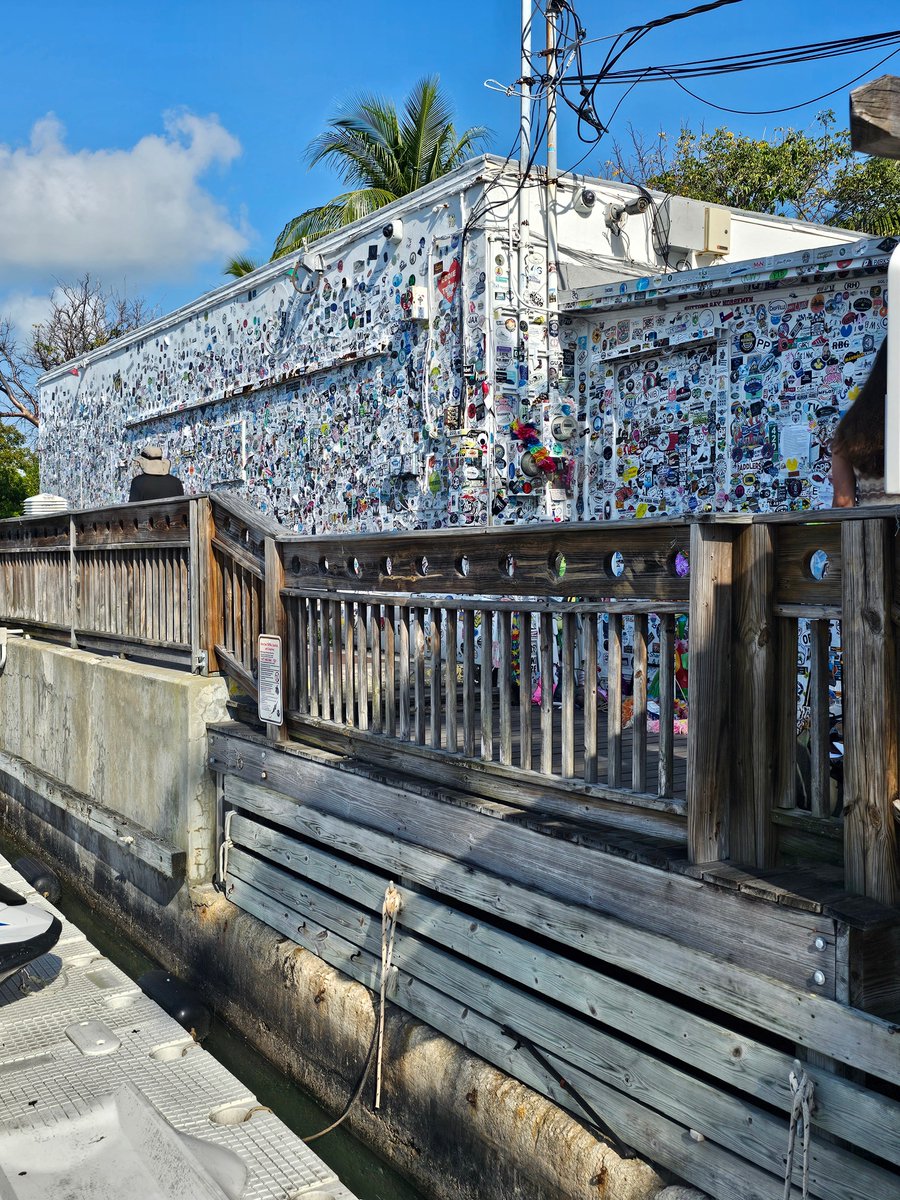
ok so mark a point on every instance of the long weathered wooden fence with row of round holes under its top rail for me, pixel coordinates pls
(639, 674)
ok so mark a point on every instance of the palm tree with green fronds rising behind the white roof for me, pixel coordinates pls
(381, 154)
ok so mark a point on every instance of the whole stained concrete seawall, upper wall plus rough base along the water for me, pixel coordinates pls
(130, 741)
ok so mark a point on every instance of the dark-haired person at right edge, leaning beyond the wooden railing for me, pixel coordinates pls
(859, 443)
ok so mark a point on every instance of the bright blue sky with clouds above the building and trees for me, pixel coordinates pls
(148, 143)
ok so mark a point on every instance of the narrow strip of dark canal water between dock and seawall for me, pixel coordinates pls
(357, 1167)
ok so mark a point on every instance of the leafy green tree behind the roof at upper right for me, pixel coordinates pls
(812, 175)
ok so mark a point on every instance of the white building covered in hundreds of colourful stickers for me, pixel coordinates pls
(469, 356)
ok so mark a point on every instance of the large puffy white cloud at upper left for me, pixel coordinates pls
(141, 211)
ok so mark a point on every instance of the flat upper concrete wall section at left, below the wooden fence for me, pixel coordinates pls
(128, 736)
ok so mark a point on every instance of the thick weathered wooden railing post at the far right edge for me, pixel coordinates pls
(871, 713)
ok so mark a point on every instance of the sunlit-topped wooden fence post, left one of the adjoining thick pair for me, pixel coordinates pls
(710, 709)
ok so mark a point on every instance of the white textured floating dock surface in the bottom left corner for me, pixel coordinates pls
(81, 1043)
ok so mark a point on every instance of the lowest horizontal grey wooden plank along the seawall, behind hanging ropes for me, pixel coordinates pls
(721, 1117)
